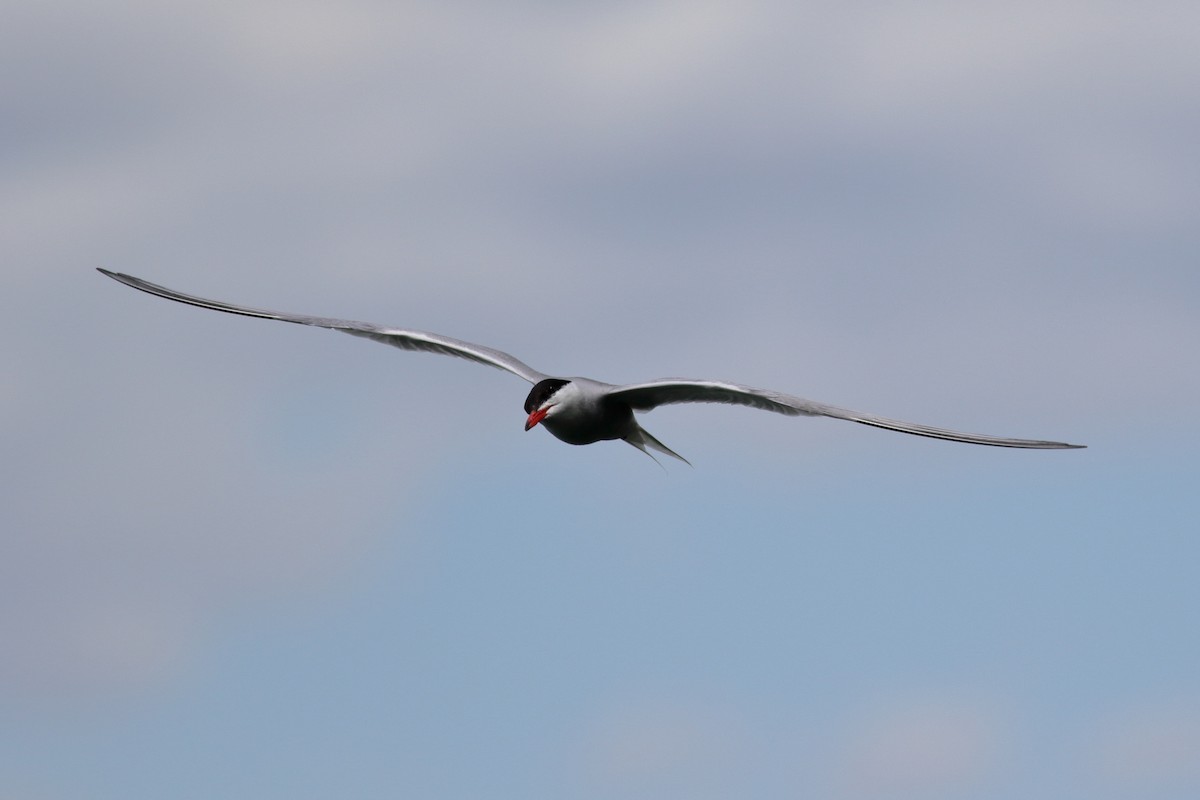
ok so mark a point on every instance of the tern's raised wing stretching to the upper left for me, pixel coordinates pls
(404, 339)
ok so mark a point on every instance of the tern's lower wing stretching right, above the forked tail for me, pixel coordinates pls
(644, 398)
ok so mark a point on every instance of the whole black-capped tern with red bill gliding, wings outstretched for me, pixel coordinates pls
(581, 411)
